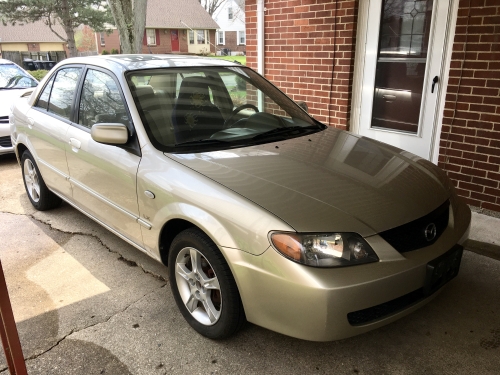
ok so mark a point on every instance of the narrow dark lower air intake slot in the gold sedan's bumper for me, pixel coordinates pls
(388, 308)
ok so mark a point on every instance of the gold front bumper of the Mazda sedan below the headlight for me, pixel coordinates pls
(314, 304)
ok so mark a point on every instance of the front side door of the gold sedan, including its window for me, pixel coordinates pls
(103, 176)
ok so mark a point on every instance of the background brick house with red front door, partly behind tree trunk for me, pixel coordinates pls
(171, 27)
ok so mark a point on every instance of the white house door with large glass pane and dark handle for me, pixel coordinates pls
(402, 72)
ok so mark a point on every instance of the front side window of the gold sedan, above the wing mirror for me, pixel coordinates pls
(101, 101)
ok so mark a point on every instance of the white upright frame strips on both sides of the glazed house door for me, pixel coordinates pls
(359, 67)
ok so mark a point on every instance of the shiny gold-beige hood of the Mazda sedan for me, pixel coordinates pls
(328, 181)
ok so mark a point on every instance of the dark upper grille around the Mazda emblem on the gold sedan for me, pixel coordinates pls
(412, 236)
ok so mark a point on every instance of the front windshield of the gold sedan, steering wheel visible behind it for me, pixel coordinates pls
(206, 108)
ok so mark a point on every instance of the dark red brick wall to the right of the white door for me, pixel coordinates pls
(470, 139)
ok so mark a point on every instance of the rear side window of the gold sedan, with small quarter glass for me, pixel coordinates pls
(57, 96)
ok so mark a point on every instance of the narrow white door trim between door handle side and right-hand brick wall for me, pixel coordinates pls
(443, 80)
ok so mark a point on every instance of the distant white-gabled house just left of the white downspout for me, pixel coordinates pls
(230, 17)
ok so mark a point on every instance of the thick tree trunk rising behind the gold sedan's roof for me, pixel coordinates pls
(130, 19)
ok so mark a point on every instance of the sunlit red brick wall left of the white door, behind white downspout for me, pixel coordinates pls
(303, 40)
